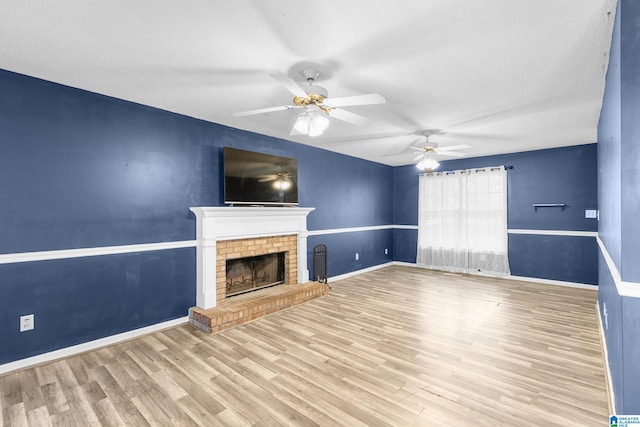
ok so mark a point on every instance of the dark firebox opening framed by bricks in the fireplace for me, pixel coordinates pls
(256, 272)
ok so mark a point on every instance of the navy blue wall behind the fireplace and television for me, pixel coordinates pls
(81, 170)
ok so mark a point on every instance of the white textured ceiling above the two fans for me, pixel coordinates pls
(500, 75)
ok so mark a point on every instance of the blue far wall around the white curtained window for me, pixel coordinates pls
(560, 175)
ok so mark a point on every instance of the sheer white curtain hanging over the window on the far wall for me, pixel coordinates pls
(462, 221)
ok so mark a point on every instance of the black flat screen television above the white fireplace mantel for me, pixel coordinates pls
(252, 178)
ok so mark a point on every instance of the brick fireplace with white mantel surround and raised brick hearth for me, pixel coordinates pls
(230, 233)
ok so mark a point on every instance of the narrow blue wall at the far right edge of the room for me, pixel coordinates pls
(619, 184)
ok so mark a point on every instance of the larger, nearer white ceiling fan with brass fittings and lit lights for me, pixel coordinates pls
(317, 105)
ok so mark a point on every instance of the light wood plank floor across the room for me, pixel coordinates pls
(397, 346)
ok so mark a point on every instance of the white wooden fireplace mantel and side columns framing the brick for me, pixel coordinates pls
(231, 223)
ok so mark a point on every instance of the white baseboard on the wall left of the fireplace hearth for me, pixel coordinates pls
(87, 346)
